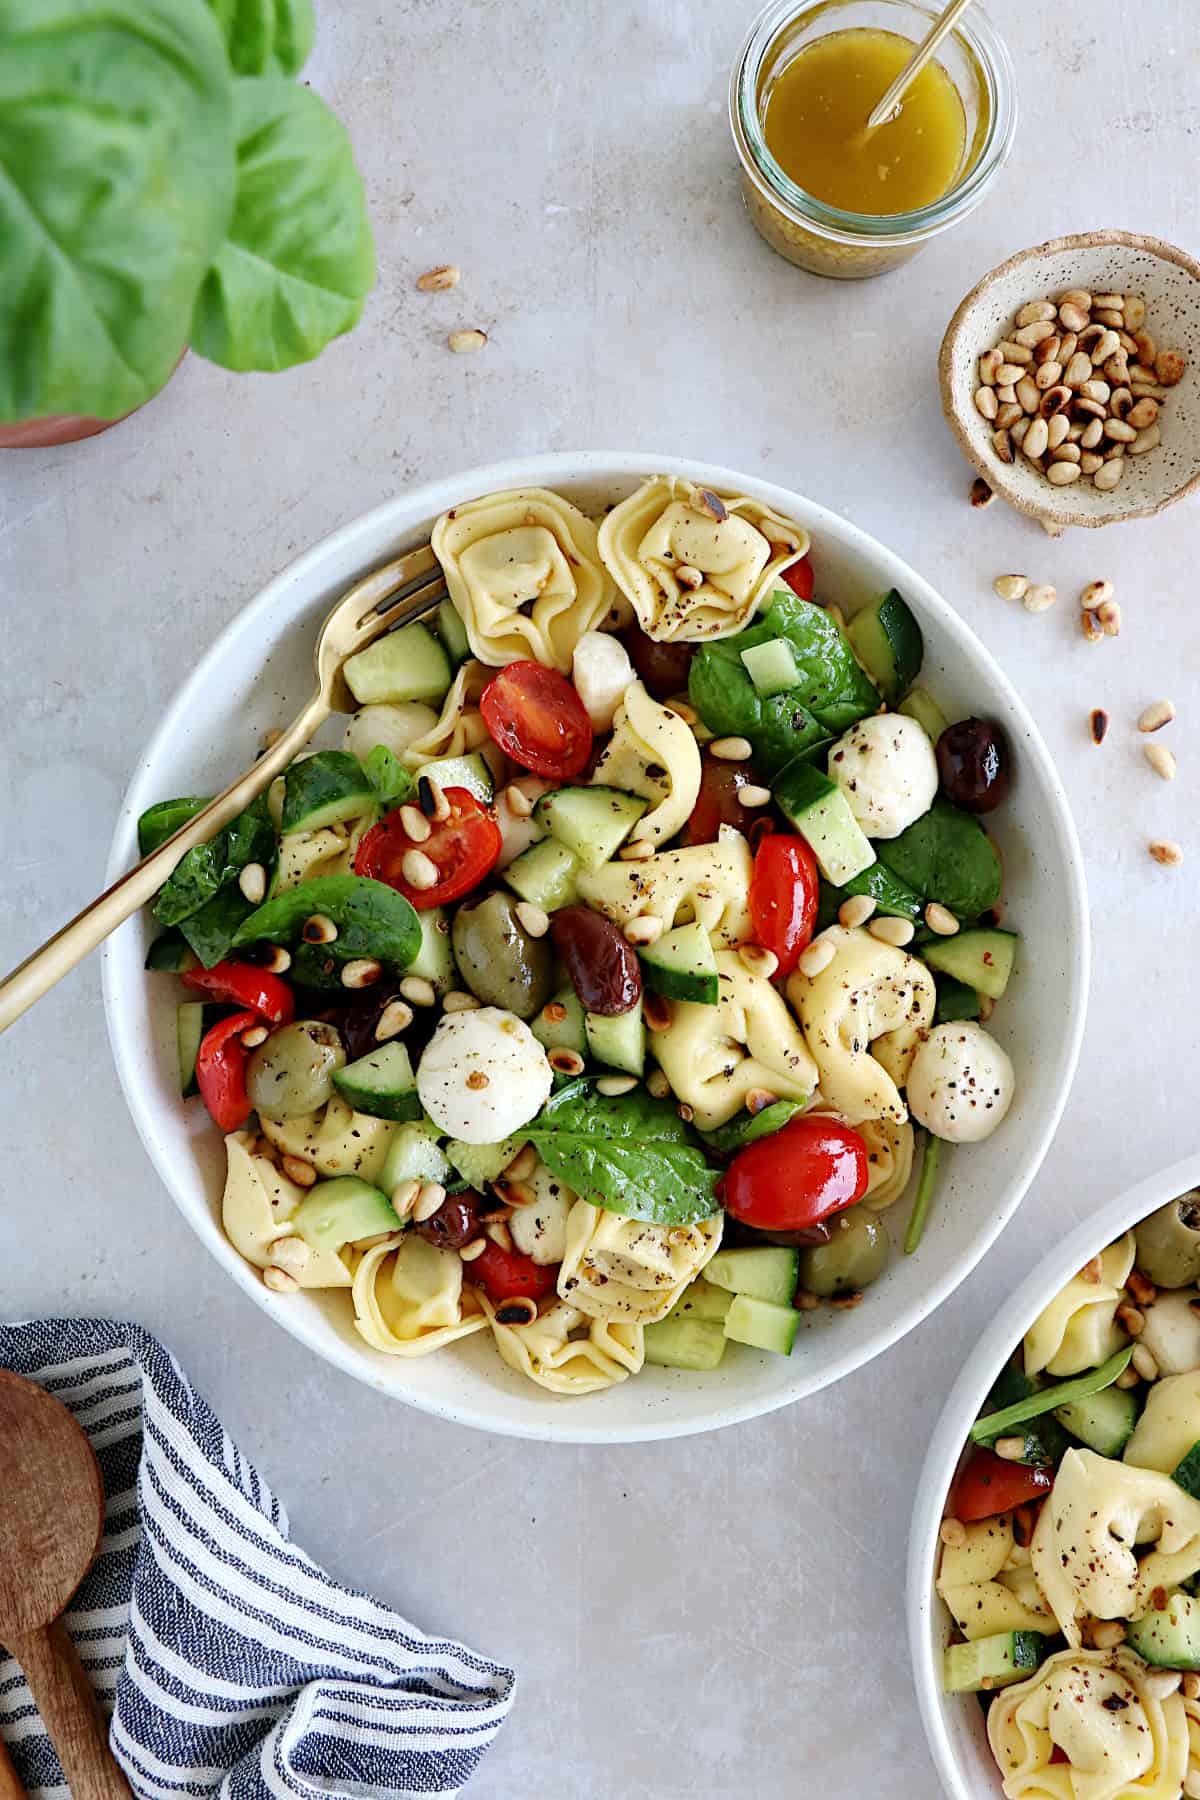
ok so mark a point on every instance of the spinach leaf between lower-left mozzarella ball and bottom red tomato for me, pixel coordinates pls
(629, 1155)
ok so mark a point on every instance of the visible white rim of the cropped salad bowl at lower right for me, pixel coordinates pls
(954, 1723)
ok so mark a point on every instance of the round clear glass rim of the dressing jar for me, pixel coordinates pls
(990, 51)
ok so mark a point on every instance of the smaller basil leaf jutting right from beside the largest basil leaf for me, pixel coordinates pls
(300, 258)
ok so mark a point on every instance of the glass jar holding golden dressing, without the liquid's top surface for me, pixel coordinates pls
(825, 238)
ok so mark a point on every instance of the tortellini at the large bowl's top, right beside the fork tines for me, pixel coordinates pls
(524, 571)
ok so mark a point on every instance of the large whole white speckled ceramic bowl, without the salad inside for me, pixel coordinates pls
(258, 674)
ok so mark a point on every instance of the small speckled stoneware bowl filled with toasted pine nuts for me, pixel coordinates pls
(1071, 379)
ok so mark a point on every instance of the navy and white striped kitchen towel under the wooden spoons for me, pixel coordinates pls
(231, 1664)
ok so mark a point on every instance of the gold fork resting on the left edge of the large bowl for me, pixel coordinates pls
(390, 597)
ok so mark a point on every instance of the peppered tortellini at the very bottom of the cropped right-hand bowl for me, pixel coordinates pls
(1097, 1709)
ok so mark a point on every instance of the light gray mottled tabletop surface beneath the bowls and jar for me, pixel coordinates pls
(722, 1615)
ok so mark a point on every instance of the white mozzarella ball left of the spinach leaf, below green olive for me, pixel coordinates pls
(483, 1075)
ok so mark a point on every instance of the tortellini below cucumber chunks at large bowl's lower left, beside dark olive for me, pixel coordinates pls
(409, 1297)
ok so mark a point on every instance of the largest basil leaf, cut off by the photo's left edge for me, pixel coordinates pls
(116, 192)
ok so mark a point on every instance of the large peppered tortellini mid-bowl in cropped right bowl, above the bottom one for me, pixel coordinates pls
(1089, 1529)
